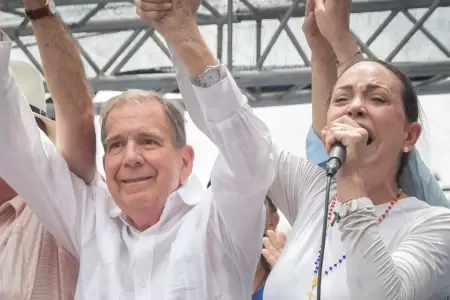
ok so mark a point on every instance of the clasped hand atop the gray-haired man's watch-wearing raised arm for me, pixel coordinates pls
(172, 18)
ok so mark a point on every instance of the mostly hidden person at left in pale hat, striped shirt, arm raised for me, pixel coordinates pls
(33, 264)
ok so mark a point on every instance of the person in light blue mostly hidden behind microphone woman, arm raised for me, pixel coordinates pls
(416, 178)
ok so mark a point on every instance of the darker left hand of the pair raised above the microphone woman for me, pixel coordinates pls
(318, 44)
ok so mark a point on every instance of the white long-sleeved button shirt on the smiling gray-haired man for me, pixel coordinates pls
(207, 242)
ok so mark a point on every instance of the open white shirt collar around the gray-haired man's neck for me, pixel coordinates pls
(189, 193)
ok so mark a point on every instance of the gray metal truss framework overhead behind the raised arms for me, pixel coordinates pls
(260, 81)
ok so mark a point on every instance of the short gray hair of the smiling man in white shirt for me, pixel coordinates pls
(172, 109)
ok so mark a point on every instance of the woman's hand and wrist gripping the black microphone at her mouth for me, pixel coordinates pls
(350, 183)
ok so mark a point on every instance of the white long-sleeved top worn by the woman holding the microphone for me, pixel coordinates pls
(406, 257)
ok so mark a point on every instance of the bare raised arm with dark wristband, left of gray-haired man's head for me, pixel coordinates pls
(68, 86)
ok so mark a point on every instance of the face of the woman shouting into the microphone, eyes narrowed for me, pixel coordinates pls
(371, 95)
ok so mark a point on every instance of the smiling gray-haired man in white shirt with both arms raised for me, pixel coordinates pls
(166, 237)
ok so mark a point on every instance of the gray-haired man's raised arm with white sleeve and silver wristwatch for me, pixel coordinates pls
(243, 172)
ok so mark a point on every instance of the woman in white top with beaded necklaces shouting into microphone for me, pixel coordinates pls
(387, 245)
